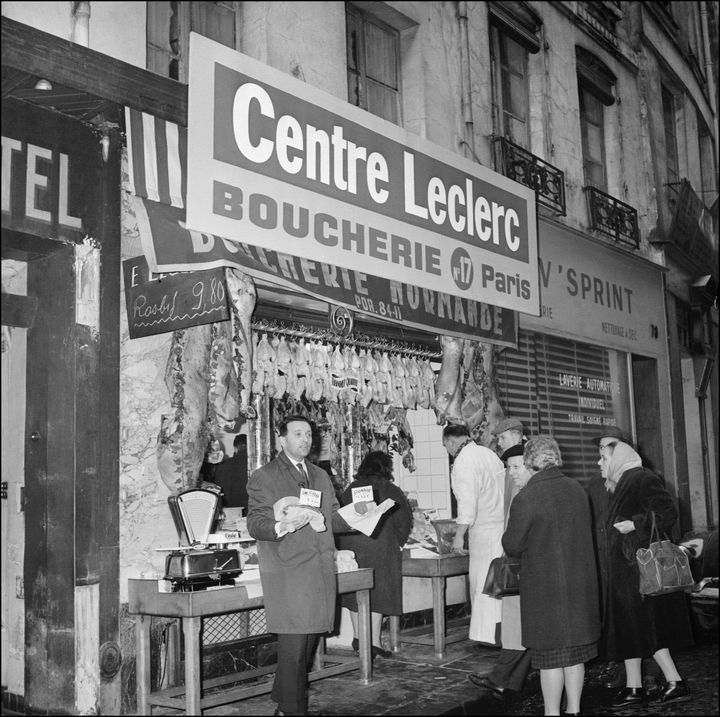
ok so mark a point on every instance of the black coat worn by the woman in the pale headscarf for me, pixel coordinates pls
(634, 626)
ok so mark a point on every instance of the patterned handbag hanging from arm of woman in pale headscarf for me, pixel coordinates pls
(664, 567)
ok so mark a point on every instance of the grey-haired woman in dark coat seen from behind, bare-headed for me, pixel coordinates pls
(549, 530)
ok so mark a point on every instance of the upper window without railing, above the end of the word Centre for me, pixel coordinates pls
(373, 64)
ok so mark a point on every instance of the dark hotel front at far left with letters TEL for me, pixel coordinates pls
(60, 355)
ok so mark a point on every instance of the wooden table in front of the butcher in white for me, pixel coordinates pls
(437, 569)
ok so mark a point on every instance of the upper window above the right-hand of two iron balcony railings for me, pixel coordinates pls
(595, 83)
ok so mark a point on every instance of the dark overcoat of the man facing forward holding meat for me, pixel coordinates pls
(297, 571)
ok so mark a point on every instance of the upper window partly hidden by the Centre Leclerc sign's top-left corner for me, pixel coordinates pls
(168, 32)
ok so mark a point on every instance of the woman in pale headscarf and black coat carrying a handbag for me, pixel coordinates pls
(637, 627)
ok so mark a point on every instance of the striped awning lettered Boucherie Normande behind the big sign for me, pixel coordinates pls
(157, 167)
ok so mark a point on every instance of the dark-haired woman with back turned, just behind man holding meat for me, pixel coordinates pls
(383, 550)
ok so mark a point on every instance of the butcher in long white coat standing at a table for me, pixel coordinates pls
(478, 483)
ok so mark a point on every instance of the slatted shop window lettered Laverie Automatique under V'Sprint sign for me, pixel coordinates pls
(566, 389)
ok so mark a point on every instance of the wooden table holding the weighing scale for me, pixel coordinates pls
(145, 601)
